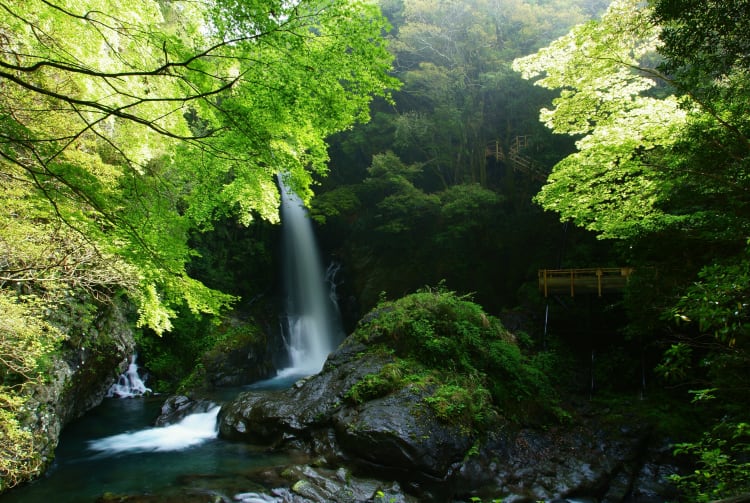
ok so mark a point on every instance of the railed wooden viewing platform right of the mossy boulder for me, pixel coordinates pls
(588, 280)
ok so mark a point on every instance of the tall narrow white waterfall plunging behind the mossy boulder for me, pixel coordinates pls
(312, 326)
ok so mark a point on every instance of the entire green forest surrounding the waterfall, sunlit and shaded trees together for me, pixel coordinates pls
(456, 145)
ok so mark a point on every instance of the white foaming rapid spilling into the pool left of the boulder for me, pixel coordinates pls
(193, 430)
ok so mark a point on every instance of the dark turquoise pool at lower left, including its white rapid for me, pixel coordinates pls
(135, 465)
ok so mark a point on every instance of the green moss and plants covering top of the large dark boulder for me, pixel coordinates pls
(473, 366)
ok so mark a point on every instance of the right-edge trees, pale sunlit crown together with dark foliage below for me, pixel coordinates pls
(658, 99)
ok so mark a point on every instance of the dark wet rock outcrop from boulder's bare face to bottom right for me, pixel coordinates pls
(397, 438)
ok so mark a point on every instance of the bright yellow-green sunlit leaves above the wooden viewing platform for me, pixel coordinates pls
(613, 184)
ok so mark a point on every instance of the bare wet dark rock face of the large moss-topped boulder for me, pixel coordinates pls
(396, 433)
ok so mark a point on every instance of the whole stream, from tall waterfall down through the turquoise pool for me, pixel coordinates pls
(115, 449)
